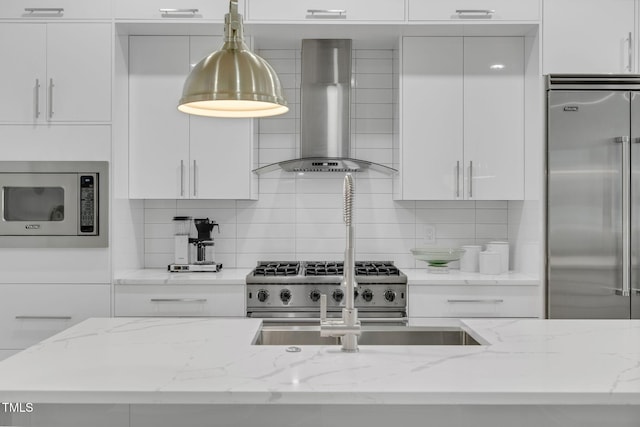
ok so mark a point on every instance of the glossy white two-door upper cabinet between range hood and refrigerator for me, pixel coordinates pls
(462, 119)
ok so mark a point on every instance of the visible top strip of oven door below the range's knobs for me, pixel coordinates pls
(301, 318)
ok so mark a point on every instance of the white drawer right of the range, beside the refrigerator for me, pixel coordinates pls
(474, 301)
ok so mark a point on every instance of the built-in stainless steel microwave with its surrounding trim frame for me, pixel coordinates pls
(54, 204)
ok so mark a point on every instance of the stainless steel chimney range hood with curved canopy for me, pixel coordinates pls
(325, 112)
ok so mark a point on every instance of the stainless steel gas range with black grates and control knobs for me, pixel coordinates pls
(290, 291)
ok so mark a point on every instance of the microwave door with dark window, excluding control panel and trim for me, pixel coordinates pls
(39, 204)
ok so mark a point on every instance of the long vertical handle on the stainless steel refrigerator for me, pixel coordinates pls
(626, 211)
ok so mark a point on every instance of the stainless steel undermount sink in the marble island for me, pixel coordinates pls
(372, 335)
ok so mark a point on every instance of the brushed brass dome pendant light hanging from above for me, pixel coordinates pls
(233, 81)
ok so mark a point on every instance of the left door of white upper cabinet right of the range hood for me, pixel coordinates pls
(432, 120)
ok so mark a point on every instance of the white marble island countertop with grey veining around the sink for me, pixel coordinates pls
(204, 360)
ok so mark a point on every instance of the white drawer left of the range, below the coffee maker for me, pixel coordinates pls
(179, 300)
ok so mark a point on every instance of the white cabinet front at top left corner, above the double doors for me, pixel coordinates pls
(55, 9)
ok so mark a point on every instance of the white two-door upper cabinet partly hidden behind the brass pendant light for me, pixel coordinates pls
(173, 155)
